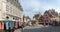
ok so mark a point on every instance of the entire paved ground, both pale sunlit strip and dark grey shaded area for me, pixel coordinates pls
(42, 29)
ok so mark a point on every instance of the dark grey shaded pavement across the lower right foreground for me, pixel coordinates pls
(45, 29)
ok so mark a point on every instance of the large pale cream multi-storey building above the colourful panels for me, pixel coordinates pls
(11, 9)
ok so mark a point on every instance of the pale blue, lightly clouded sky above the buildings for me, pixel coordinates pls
(31, 7)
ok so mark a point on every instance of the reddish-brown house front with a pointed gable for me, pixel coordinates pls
(45, 19)
